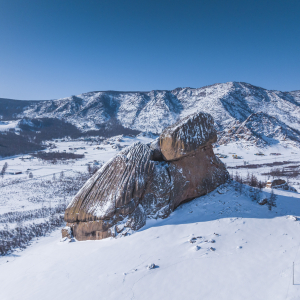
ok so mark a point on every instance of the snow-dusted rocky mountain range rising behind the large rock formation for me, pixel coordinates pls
(231, 104)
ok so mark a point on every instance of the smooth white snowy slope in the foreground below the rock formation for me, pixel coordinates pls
(253, 257)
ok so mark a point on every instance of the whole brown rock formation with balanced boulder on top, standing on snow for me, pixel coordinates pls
(148, 181)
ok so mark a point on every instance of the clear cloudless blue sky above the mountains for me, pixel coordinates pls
(57, 48)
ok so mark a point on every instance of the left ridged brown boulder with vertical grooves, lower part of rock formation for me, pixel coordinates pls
(111, 194)
